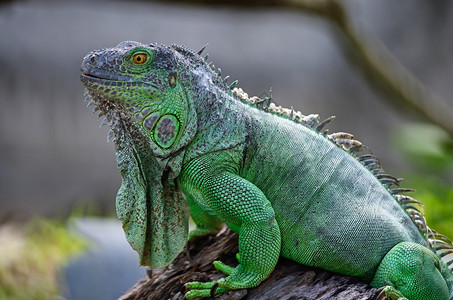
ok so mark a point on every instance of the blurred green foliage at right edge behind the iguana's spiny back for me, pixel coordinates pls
(429, 150)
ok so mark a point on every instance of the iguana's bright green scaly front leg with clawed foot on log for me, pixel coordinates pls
(246, 210)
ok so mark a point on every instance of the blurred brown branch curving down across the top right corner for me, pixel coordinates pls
(383, 71)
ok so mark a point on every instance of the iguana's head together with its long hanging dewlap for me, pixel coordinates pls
(138, 88)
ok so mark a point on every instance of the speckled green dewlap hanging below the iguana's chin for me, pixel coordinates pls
(153, 212)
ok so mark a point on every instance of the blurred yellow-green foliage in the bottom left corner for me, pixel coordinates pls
(31, 257)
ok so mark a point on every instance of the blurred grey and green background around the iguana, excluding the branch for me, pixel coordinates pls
(58, 176)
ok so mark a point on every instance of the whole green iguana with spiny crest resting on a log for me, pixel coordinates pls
(185, 139)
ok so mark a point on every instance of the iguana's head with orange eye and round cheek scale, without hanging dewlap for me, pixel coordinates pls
(143, 83)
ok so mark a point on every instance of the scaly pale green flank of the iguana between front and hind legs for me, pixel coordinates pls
(332, 211)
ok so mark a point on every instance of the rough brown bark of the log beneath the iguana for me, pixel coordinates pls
(288, 281)
